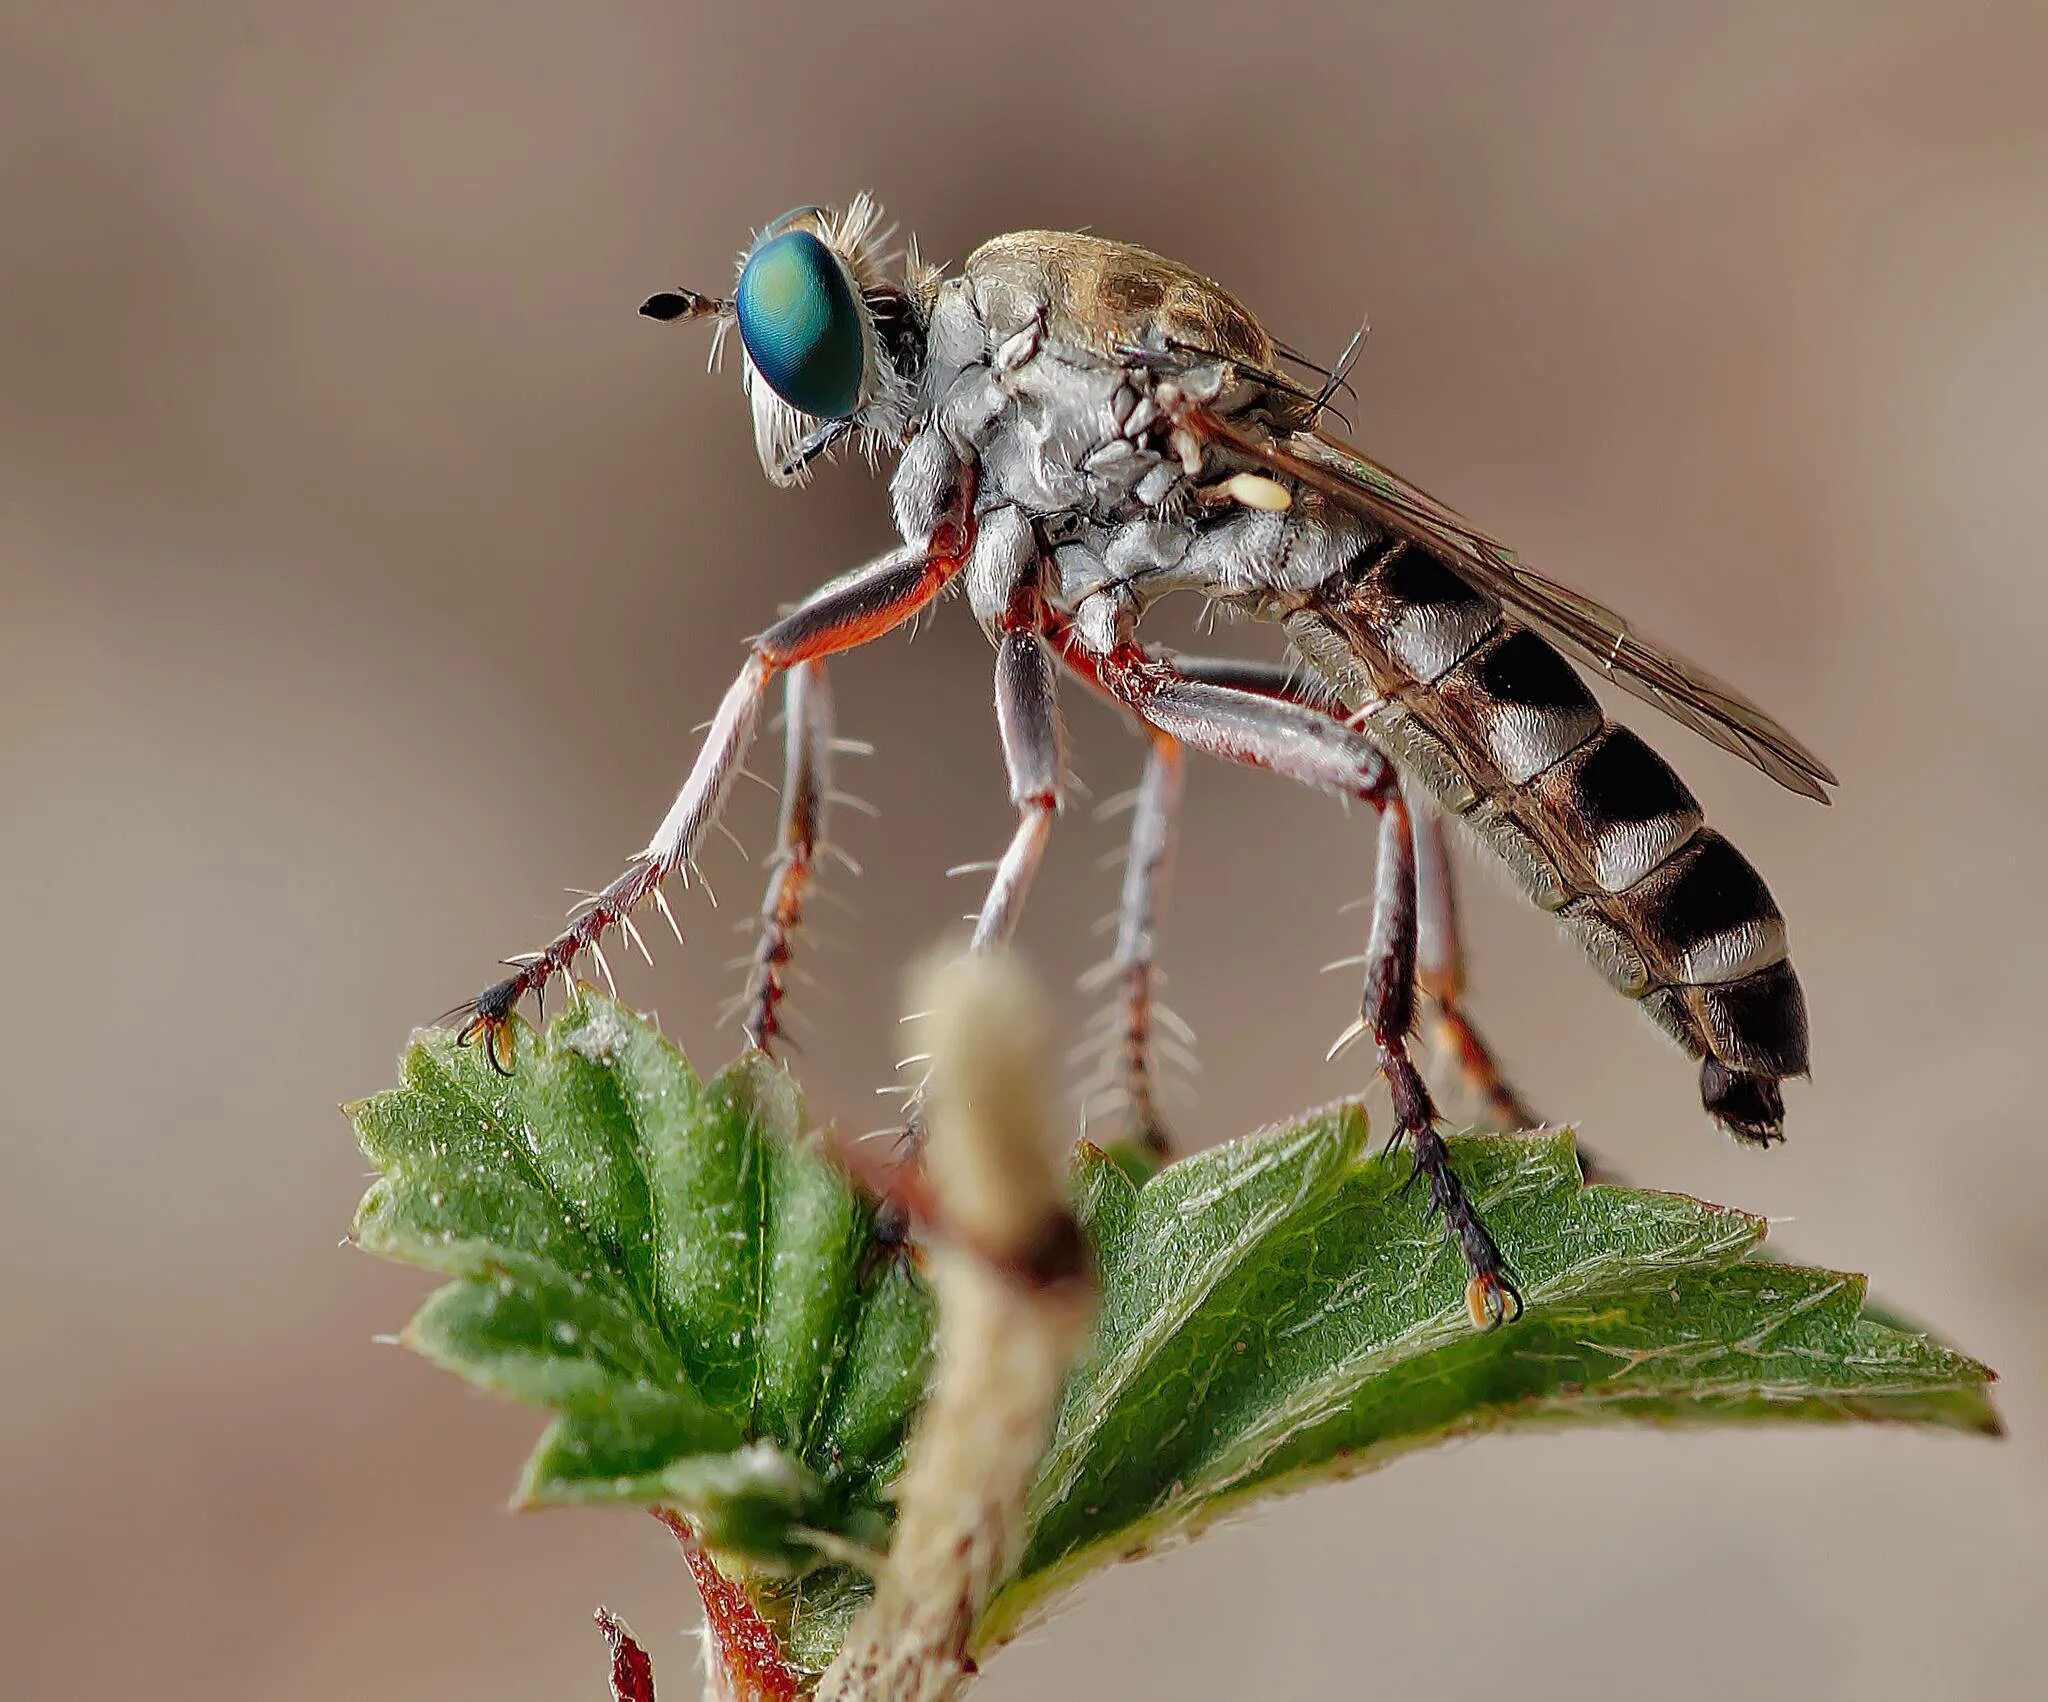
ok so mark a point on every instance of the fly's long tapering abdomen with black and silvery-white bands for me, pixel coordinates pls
(1588, 818)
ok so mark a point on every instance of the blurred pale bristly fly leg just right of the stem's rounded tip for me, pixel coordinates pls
(1132, 966)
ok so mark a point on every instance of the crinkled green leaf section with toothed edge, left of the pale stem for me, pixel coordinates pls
(671, 1267)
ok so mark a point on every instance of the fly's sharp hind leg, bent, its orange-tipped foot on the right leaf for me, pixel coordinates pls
(1318, 751)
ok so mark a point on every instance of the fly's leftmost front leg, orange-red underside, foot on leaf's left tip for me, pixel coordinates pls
(843, 615)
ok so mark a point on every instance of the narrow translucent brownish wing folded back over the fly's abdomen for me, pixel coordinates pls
(1592, 632)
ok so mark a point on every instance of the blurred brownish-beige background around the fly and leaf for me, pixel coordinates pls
(366, 564)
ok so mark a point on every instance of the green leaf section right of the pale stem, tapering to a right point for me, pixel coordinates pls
(1279, 1312)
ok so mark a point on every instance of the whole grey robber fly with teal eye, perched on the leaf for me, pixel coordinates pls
(1082, 427)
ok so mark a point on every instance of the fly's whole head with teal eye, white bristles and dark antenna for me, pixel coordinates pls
(830, 347)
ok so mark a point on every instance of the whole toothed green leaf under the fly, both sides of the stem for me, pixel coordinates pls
(681, 1277)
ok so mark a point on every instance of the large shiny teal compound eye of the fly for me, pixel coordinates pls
(802, 327)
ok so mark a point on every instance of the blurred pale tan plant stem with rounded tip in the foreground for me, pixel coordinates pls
(1015, 1304)
